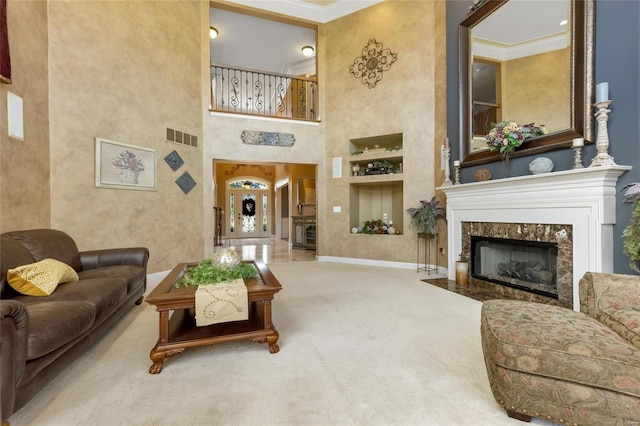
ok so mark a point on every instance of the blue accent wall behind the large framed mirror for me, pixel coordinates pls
(617, 60)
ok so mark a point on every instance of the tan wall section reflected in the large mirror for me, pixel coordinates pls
(547, 96)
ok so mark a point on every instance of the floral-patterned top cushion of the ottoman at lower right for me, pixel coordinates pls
(559, 343)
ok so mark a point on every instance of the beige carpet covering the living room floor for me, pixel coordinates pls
(359, 345)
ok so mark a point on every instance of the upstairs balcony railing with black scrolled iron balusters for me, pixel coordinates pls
(253, 92)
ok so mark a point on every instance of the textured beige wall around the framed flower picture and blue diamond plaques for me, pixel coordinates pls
(126, 71)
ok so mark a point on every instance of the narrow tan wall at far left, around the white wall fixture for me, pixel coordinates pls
(24, 164)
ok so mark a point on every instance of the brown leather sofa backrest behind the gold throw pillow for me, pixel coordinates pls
(44, 243)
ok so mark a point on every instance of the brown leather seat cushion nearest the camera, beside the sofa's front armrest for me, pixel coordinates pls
(53, 324)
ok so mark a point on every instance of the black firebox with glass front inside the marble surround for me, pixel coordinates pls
(525, 265)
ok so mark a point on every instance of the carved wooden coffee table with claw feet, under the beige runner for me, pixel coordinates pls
(178, 330)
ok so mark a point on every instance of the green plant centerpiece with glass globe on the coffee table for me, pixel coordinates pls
(221, 268)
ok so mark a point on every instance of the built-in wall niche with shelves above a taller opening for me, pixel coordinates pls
(372, 196)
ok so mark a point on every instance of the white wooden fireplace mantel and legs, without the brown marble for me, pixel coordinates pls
(582, 198)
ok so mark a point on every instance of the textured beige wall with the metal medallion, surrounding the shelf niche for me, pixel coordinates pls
(409, 100)
